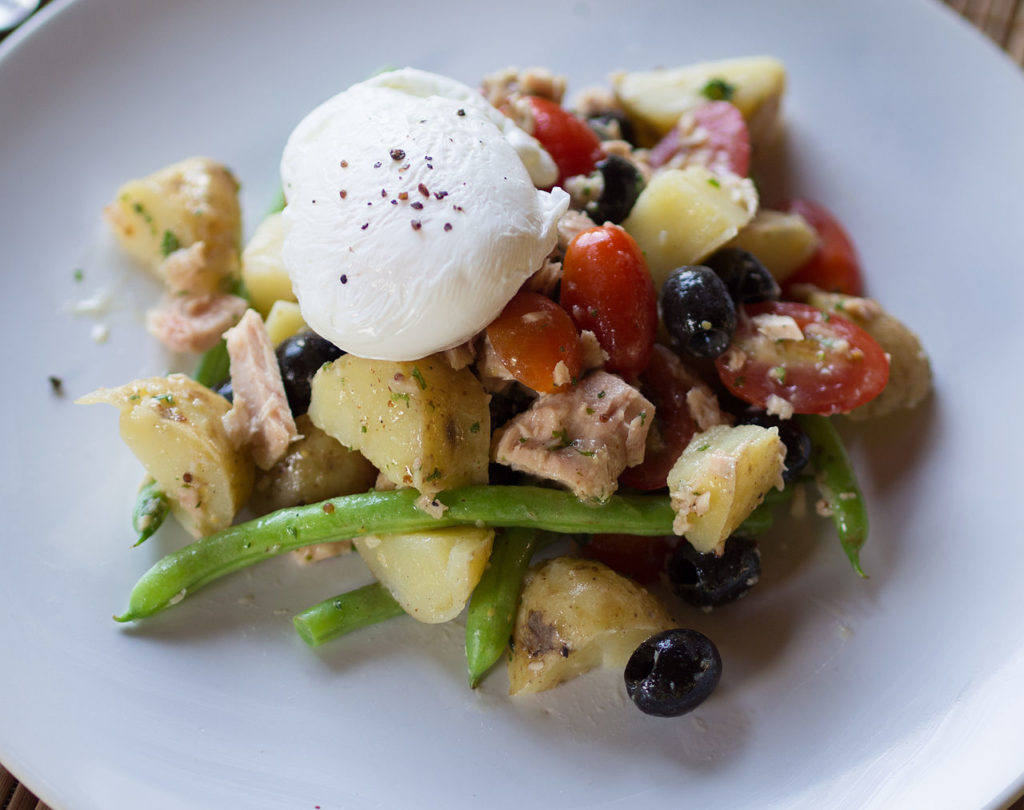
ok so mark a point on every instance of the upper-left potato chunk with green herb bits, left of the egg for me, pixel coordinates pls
(190, 202)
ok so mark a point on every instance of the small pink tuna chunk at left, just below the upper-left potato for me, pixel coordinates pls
(194, 323)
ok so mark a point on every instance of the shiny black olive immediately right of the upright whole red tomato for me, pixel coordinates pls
(698, 312)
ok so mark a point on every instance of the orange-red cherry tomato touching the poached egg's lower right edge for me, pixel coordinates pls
(532, 336)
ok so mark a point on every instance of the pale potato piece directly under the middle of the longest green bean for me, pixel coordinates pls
(431, 574)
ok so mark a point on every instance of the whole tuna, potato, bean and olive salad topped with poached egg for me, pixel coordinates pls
(547, 368)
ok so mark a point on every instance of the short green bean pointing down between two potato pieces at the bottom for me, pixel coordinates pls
(496, 599)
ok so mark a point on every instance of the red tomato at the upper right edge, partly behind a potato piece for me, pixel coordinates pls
(834, 267)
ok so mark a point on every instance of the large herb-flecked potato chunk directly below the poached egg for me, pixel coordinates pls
(421, 423)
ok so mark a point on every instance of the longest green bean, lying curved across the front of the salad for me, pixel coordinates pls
(183, 573)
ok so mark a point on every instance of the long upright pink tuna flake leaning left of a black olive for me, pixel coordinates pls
(260, 416)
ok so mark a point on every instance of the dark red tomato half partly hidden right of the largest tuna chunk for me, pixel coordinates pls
(666, 382)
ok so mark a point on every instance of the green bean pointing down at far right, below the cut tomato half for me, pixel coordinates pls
(837, 483)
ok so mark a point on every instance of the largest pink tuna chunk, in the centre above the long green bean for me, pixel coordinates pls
(583, 439)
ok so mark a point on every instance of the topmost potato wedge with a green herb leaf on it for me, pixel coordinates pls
(656, 100)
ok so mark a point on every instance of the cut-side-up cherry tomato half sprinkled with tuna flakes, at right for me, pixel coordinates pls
(832, 370)
